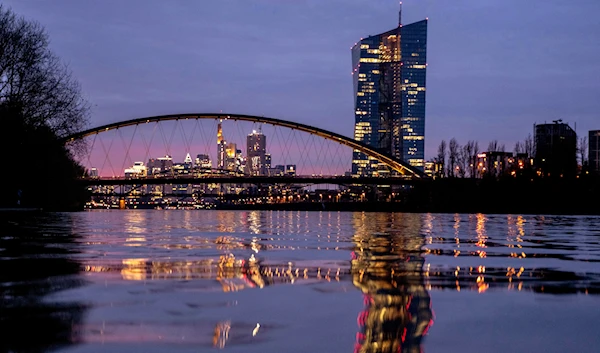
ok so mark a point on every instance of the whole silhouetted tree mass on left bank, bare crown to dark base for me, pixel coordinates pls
(40, 103)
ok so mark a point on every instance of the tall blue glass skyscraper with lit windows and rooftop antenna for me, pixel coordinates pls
(389, 74)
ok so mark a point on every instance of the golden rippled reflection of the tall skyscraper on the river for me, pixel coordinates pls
(387, 267)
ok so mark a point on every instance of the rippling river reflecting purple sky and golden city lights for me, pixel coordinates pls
(269, 281)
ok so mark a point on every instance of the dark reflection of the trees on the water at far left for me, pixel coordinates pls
(35, 262)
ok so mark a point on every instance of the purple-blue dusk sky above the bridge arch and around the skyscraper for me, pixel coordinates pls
(495, 67)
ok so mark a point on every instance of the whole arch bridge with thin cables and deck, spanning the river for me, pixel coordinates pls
(310, 144)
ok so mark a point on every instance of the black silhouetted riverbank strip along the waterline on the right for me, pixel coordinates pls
(455, 195)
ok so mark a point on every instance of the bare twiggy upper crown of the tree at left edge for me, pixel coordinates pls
(34, 82)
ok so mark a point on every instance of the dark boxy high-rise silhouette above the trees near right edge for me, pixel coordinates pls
(555, 149)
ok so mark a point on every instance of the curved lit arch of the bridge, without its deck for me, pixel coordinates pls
(395, 164)
